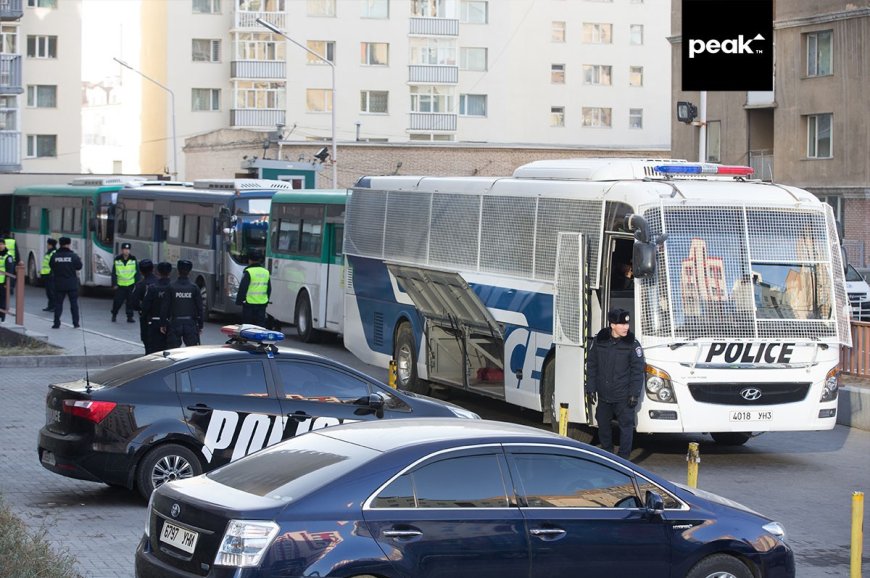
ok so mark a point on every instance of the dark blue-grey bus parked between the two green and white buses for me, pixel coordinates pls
(214, 224)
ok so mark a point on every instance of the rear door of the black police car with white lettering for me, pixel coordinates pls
(231, 409)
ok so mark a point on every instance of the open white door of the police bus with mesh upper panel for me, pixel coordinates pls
(570, 309)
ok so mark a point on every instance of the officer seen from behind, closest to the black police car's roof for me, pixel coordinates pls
(182, 313)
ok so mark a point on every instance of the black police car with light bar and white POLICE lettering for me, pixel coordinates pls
(177, 413)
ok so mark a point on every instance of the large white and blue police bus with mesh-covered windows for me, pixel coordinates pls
(495, 286)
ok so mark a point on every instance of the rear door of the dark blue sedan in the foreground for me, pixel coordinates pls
(452, 516)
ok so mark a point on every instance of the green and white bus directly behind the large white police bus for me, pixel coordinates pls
(306, 260)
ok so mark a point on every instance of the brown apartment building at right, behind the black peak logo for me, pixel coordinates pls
(813, 129)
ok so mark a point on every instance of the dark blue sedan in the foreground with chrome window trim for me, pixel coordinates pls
(449, 498)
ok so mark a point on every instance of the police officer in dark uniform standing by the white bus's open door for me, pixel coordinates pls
(614, 373)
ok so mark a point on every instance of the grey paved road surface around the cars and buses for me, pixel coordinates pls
(804, 480)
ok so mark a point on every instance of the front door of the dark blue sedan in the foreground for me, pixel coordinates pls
(584, 516)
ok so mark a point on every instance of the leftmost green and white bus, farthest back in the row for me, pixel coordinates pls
(83, 210)
